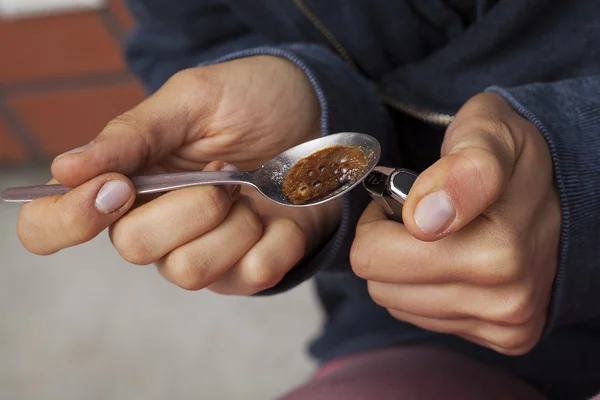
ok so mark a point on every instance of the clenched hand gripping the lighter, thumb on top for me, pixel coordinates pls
(477, 255)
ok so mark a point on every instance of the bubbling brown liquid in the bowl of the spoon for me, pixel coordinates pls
(323, 172)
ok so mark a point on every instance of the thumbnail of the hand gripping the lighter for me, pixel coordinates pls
(434, 212)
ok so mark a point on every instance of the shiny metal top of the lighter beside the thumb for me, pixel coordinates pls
(389, 189)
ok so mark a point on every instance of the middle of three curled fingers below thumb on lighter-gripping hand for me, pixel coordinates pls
(506, 305)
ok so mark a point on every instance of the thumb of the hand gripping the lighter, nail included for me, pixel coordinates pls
(478, 156)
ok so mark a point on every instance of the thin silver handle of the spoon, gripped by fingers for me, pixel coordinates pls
(143, 184)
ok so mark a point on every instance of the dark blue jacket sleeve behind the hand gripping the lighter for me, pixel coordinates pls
(567, 113)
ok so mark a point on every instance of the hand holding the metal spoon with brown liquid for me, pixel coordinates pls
(242, 112)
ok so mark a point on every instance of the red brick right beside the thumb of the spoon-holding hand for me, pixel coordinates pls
(66, 119)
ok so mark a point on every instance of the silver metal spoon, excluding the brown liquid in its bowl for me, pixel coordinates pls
(268, 179)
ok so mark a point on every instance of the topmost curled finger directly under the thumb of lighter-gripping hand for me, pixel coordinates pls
(384, 251)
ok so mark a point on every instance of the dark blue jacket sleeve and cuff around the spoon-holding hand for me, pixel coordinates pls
(158, 49)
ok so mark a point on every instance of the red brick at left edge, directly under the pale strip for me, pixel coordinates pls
(56, 46)
